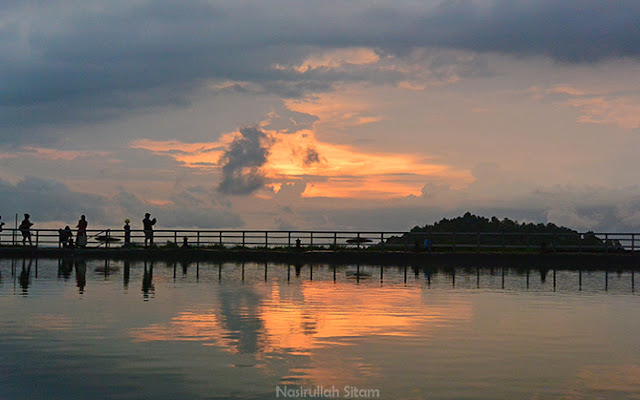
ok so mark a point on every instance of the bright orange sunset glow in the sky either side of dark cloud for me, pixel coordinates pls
(328, 170)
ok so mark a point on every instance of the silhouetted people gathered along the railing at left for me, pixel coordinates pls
(66, 235)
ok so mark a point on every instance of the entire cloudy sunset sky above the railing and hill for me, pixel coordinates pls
(332, 115)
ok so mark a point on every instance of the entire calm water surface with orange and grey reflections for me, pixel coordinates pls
(110, 330)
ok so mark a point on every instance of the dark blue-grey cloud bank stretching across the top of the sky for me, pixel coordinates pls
(67, 63)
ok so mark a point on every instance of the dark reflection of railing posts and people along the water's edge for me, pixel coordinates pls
(25, 273)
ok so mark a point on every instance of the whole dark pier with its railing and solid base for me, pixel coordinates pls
(580, 250)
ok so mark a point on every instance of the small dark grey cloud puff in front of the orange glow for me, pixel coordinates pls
(242, 162)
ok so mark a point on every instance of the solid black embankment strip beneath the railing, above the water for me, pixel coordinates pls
(514, 260)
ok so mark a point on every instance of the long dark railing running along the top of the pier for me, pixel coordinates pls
(335, 240)
